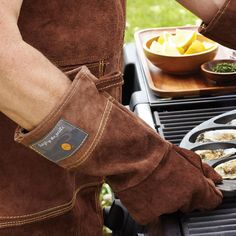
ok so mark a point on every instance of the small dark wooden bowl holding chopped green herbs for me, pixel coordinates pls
(217, 77)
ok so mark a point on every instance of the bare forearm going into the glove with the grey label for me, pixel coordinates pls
(30, 85)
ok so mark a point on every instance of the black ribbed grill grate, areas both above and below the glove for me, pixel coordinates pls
(173, 123)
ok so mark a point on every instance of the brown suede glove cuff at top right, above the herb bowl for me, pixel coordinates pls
(222, 26)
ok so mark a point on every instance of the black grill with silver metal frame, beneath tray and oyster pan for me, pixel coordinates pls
(173, 119)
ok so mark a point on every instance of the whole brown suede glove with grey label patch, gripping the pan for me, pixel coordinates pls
(92, 134)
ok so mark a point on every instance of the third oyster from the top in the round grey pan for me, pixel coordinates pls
(208, 155)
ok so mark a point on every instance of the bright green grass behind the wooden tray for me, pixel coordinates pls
(155, 13)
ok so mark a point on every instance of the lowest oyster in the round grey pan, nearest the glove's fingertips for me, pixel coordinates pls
(227, 169)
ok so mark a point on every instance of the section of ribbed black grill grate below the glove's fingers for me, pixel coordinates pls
(220, 222)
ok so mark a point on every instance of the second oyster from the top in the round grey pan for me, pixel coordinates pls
(221, 135)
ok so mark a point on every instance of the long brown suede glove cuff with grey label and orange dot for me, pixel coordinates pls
(88, 131)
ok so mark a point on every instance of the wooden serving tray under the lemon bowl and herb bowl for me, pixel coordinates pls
(168, 85)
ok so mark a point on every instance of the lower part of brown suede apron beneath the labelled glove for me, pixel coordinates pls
(40, 198)
